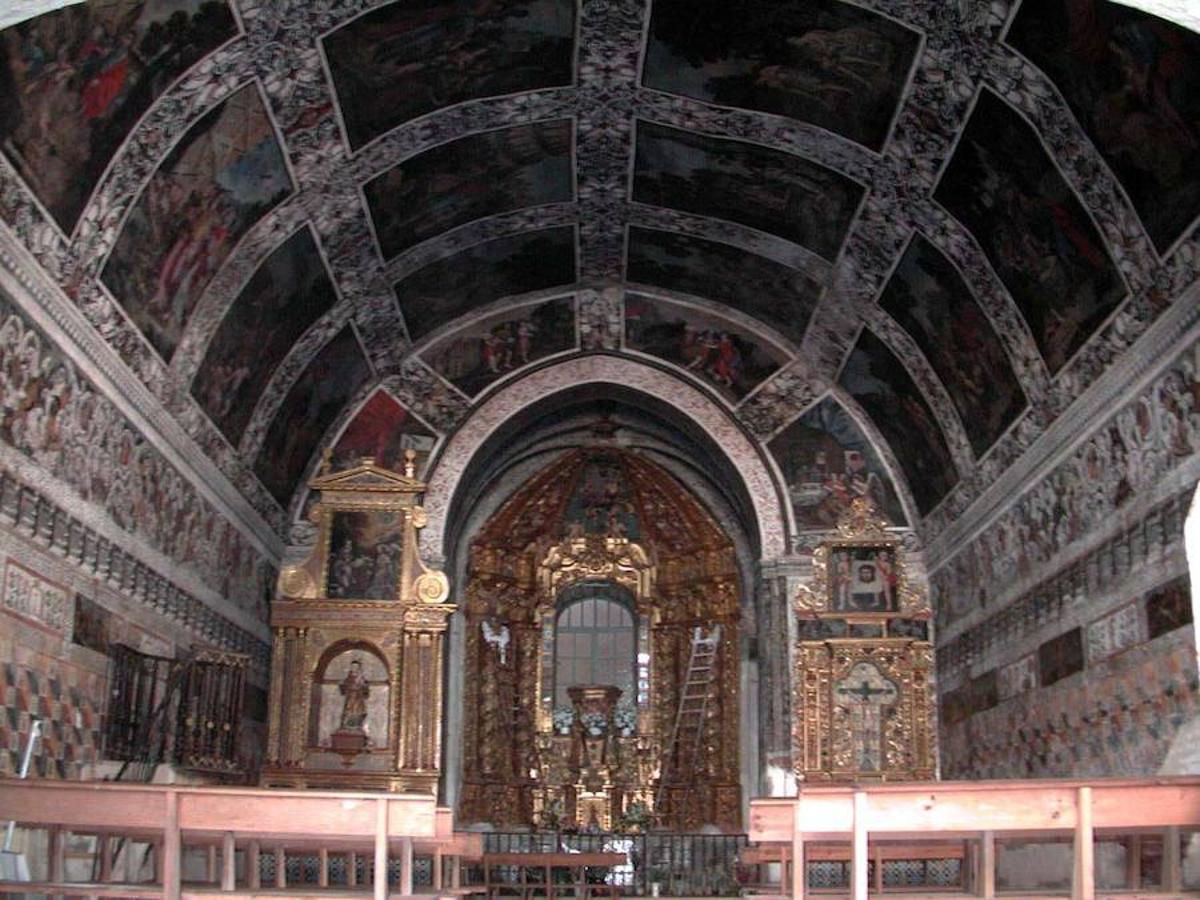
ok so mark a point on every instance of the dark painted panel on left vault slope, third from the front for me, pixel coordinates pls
(289, 293)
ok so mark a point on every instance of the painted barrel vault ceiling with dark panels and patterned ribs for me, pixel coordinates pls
(944, 220)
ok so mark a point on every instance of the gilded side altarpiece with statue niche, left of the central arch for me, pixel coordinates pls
(359, 632)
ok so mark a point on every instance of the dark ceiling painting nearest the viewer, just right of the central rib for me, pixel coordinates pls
(821, 62)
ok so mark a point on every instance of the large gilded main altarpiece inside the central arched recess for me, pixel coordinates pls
(608, 526)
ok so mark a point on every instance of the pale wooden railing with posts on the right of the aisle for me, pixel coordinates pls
(979, 813)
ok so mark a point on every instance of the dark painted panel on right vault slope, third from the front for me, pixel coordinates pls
(928, 297)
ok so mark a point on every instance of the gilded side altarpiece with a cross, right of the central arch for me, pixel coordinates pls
(863, 688)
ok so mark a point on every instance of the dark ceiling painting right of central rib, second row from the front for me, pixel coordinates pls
(760, 188)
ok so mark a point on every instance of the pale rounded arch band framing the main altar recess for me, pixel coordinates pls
(590, 370)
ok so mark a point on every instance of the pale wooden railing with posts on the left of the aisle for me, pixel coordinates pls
(226, 821)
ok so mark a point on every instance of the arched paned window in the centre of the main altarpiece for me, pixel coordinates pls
(596, 640)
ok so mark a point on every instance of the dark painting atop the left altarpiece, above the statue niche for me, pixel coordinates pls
(364, 555)
